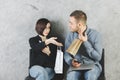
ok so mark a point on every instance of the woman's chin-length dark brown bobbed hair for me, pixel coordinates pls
(41, 25)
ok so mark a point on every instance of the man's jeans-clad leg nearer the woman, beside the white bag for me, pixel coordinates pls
(73, 75)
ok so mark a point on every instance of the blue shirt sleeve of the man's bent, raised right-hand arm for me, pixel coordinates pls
(94, 48)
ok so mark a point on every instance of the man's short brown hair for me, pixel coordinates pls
(79, 16)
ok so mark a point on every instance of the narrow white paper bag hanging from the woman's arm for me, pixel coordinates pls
(59, 61)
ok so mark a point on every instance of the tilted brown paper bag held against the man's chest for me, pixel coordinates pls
(73, 48)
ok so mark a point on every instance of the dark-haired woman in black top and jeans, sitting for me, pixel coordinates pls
(44, 51)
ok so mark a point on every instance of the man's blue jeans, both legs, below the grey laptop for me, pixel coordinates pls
(89, 75)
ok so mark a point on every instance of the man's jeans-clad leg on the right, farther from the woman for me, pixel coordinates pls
(92, 74)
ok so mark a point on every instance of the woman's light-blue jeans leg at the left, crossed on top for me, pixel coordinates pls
(39, 73)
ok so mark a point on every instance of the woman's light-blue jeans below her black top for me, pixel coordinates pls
(41, 73)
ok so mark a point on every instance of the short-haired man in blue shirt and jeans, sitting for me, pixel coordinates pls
(90, 50)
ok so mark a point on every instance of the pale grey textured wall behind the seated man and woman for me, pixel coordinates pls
(18, 17)
